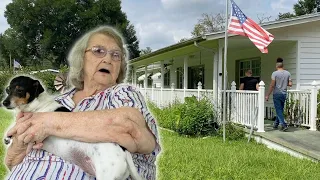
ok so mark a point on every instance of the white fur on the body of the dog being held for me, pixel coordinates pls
(107, 160)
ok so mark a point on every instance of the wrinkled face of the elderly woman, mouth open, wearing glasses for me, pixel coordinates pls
(102, 60)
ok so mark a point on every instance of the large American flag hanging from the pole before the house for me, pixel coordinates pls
(242, 25)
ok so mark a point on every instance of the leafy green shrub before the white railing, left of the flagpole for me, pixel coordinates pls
(194, 118)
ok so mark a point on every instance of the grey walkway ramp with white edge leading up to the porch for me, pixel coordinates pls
(296, 141)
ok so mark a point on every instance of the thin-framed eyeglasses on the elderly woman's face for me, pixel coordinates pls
(100, 52)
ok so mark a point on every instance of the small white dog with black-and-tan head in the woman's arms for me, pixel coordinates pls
(104, 160)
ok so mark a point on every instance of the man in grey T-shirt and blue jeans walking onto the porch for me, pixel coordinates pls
(280, 79)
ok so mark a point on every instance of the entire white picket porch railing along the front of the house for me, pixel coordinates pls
(247, 107)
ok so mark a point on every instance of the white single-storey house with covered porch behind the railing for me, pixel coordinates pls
(200, 59)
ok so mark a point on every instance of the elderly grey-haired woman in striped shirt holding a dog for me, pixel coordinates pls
(103, 110)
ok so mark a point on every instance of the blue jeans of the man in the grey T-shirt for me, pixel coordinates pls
(278, 101)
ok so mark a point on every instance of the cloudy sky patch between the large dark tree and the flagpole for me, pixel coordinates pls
(162, 23)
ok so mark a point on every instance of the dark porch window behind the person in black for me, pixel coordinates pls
(242, 65)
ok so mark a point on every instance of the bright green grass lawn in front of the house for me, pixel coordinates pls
(195, 158)
